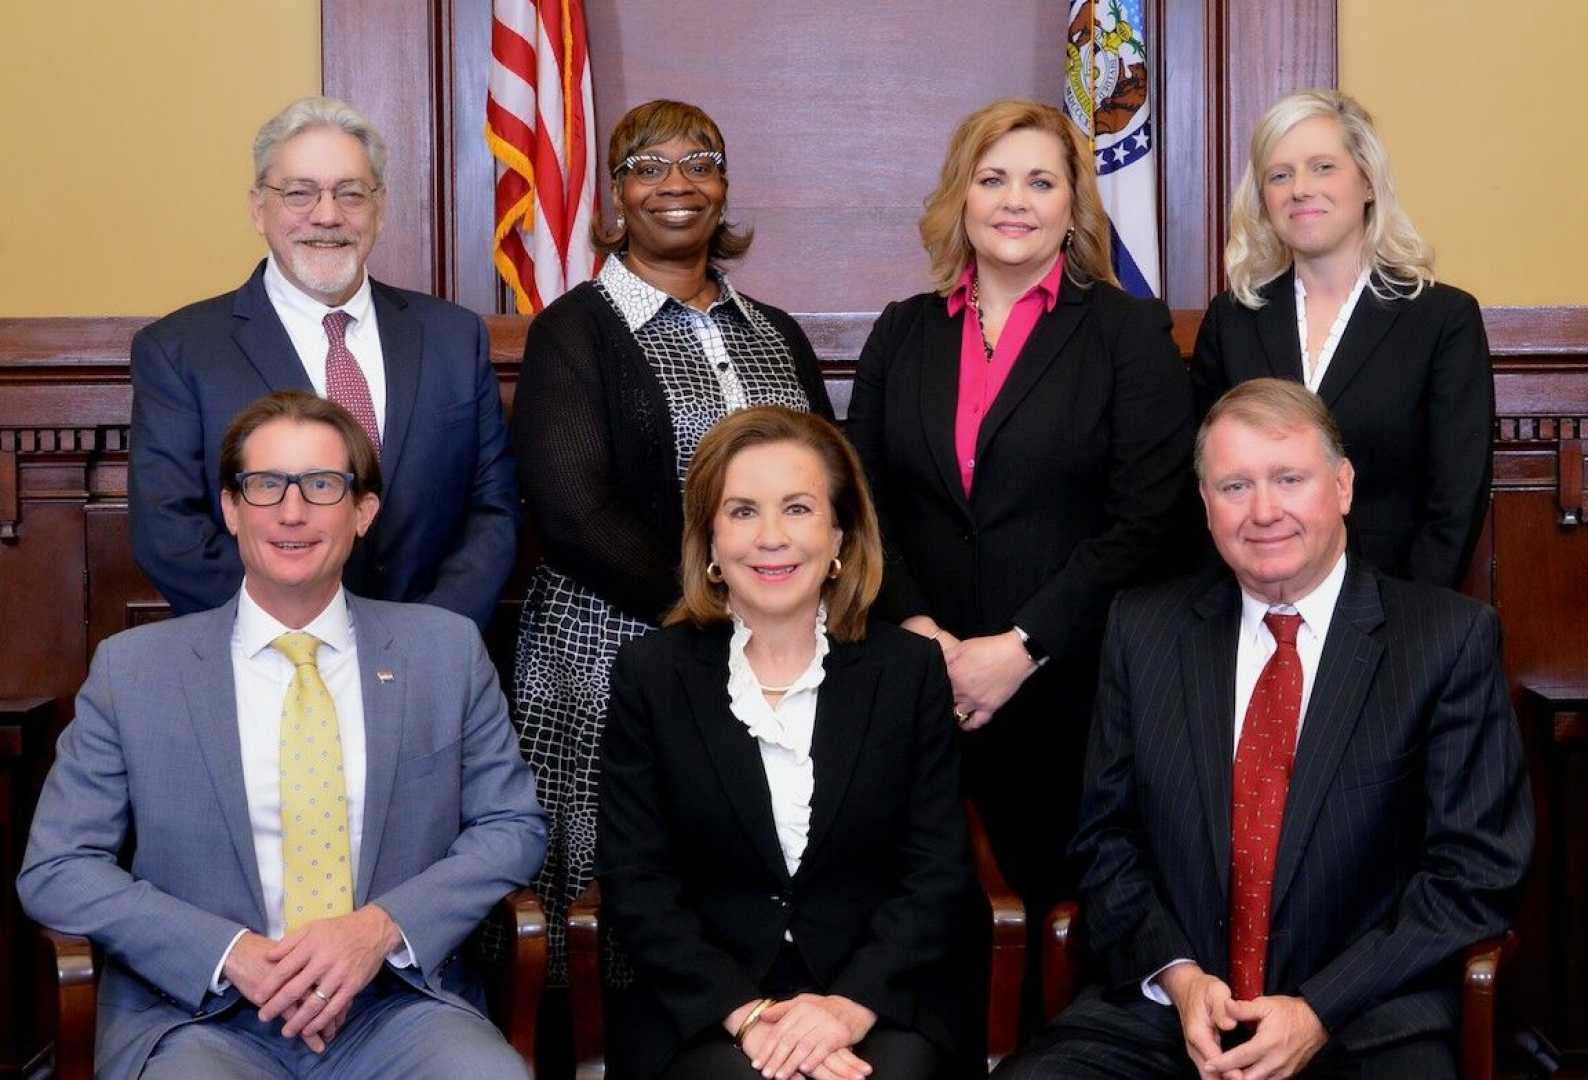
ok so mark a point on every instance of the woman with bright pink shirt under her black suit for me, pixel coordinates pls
(1027, 428)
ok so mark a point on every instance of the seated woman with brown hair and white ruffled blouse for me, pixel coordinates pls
(782, 847)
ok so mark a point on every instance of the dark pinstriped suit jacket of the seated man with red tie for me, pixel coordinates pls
(1408, 825)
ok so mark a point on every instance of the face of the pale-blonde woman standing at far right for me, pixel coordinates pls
(1314, 193)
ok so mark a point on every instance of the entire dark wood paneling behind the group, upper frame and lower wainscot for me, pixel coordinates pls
(836, 118)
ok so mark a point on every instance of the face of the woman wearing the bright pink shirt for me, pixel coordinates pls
(1019, 206)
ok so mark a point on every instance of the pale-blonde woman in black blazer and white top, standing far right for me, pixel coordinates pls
(1332, 285)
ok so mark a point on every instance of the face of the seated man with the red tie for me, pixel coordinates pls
(1276, 506)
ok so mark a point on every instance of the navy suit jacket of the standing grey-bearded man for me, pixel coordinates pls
(447, 533)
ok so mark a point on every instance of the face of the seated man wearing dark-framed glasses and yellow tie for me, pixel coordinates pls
(293, 553)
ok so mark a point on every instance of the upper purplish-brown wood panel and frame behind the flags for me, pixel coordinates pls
(836, 118)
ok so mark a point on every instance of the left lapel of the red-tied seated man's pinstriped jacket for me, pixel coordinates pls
(1208, 669)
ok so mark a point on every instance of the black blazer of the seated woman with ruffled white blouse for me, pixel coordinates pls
(693, 879)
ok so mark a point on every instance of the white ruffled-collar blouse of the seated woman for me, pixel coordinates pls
(784, 736)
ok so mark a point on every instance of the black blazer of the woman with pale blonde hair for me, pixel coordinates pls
(1414, 396)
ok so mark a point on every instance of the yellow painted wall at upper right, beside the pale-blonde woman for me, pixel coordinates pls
(1484, 112)
